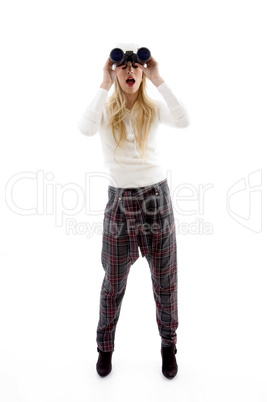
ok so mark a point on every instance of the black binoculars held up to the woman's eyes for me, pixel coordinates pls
(118, 57)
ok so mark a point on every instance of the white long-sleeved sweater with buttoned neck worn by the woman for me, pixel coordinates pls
(131, 171)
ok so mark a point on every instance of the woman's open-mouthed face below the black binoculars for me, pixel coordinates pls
(123, 75)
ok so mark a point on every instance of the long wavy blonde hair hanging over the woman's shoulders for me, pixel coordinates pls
(146, 108)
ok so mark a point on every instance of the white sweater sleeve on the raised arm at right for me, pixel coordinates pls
(172, 112)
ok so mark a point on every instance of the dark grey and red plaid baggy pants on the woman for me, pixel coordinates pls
(138, 217)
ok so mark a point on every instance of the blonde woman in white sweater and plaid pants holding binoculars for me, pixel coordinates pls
(139, 209)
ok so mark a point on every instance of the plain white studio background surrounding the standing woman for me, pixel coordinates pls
(213, 56)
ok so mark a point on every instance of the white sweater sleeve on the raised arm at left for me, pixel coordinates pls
(90, 121)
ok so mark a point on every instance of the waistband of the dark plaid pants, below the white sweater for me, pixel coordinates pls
(156, 188)
